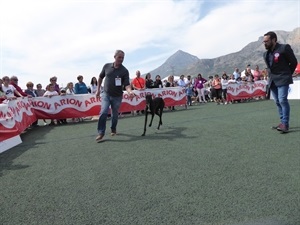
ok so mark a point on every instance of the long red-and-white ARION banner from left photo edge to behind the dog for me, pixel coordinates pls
(17, 115)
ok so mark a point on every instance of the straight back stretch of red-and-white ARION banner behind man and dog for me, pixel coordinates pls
(74, 106)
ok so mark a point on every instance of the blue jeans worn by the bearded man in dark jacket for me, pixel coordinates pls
(280, 95)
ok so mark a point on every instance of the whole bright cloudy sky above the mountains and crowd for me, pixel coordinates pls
(66, 38)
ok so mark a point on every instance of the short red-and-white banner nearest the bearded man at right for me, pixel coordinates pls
(247, 90)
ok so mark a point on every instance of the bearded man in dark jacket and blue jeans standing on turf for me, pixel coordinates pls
(281, 64)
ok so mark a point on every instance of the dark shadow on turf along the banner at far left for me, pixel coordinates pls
(29, 137)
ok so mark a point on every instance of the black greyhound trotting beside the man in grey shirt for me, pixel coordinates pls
(153, 106)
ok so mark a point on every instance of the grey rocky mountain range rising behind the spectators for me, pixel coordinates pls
(184, 63)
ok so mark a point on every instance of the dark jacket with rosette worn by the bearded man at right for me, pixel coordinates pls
(281, 65)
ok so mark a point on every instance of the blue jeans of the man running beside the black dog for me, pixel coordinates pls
(115, 103)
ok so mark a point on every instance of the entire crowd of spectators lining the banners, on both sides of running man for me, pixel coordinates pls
(198, 89)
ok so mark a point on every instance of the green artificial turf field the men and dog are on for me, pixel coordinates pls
(208, 165)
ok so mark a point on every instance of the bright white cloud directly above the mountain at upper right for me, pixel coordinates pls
(228, 29)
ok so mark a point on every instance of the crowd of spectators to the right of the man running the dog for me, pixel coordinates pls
(201, 90)
